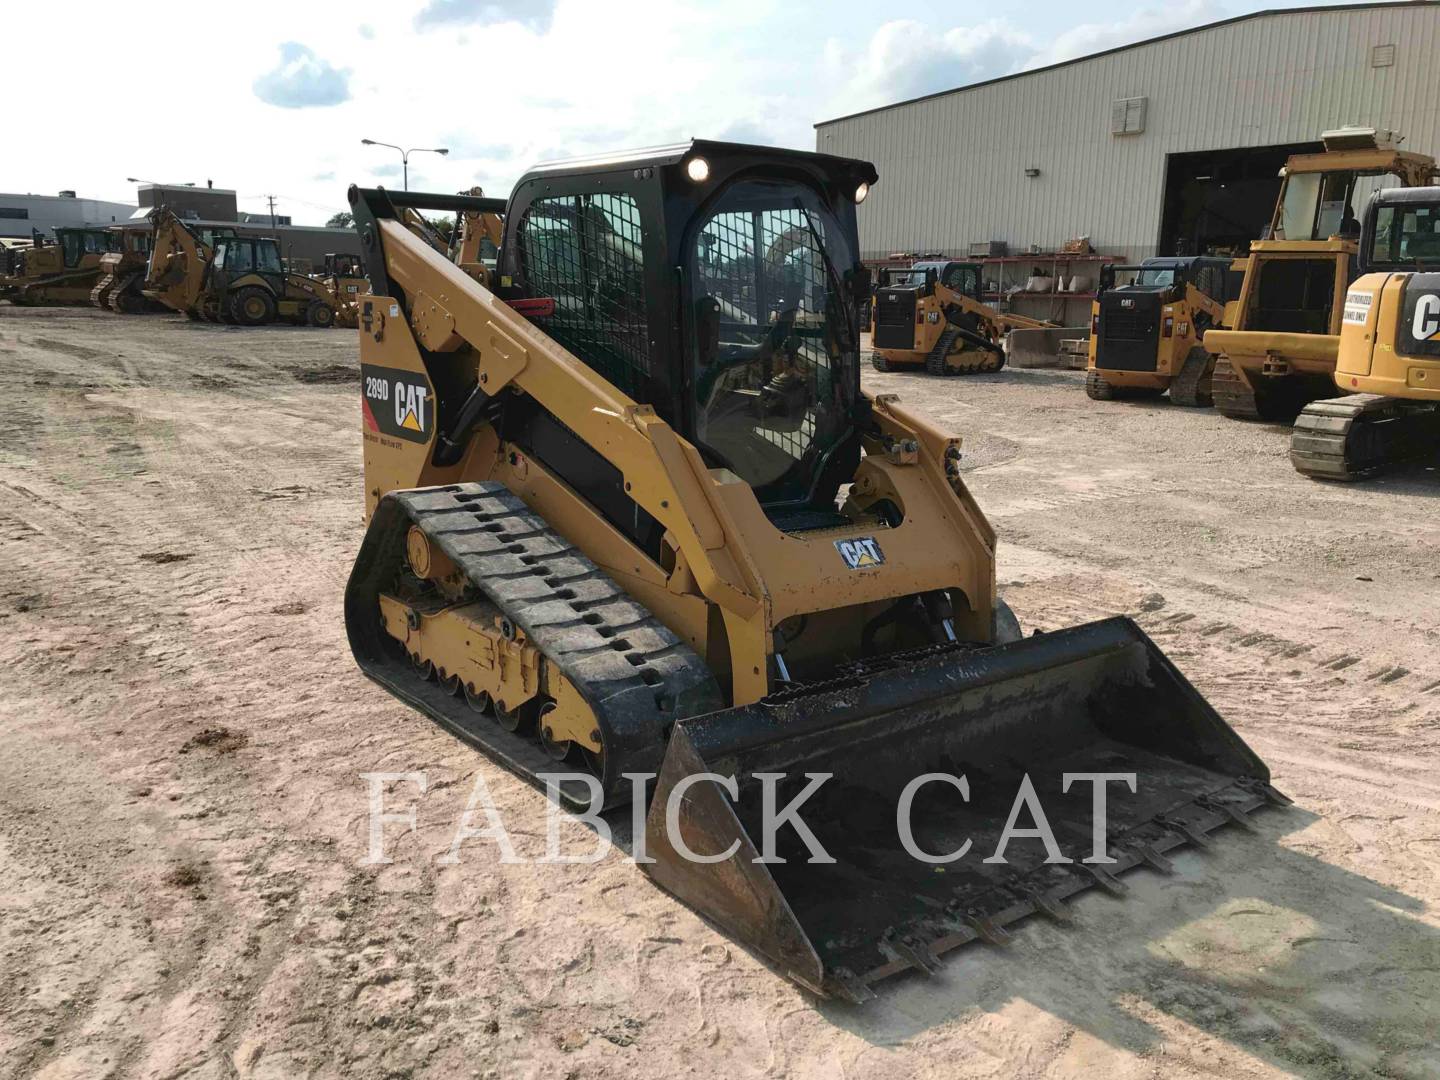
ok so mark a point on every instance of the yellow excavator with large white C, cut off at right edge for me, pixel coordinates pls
(1389, 352)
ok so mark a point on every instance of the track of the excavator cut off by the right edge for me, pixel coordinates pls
(1347, 438)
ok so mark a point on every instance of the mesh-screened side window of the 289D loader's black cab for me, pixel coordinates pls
(585, 251)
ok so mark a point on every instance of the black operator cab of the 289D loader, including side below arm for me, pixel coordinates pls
(718, 283)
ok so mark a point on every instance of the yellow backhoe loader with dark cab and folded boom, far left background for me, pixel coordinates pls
(233, 279)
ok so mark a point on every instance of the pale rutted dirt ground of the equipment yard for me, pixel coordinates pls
(184, 820)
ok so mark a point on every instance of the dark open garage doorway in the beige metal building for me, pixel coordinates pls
(1219, 201)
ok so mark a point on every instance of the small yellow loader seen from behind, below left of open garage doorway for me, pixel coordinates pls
(1146, 335)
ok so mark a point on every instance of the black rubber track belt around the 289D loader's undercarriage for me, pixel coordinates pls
(636, 675)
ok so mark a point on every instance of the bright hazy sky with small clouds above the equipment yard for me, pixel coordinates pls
(274, 99)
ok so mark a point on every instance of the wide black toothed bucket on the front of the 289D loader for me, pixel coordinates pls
(1094, 699)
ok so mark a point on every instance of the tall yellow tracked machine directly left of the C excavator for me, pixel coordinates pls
(1279, 346)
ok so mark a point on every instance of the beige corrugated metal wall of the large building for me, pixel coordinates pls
(953, 169)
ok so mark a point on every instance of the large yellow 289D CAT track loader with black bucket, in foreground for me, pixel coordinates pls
(633, 523)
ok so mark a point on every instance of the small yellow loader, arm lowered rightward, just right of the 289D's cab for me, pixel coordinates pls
(931, 316)
